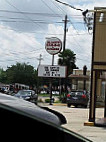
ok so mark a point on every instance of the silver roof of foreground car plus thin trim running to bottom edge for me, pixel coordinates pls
(30, 110)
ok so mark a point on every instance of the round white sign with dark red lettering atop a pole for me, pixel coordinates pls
(53, 45)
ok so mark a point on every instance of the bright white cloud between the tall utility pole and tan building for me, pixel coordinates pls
(80, 42)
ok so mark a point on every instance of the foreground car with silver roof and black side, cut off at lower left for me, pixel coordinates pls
(22, 120)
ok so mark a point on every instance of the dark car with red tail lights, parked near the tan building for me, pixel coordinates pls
(78, 98)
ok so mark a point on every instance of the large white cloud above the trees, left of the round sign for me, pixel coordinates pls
(17, 47)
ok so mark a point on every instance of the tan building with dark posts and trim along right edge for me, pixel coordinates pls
(98, 71)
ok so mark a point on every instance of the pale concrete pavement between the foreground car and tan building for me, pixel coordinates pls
(75, 122)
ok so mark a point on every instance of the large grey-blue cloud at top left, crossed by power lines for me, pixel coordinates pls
(31, 13)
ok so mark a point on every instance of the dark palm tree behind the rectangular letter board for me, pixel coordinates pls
(67, 58)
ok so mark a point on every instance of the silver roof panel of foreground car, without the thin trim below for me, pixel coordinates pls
(28, 109)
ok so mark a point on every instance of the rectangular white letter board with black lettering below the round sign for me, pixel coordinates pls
(52, 71)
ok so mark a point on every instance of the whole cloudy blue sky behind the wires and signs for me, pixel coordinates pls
(26, 24)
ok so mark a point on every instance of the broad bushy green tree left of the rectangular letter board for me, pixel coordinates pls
(21, 73)
